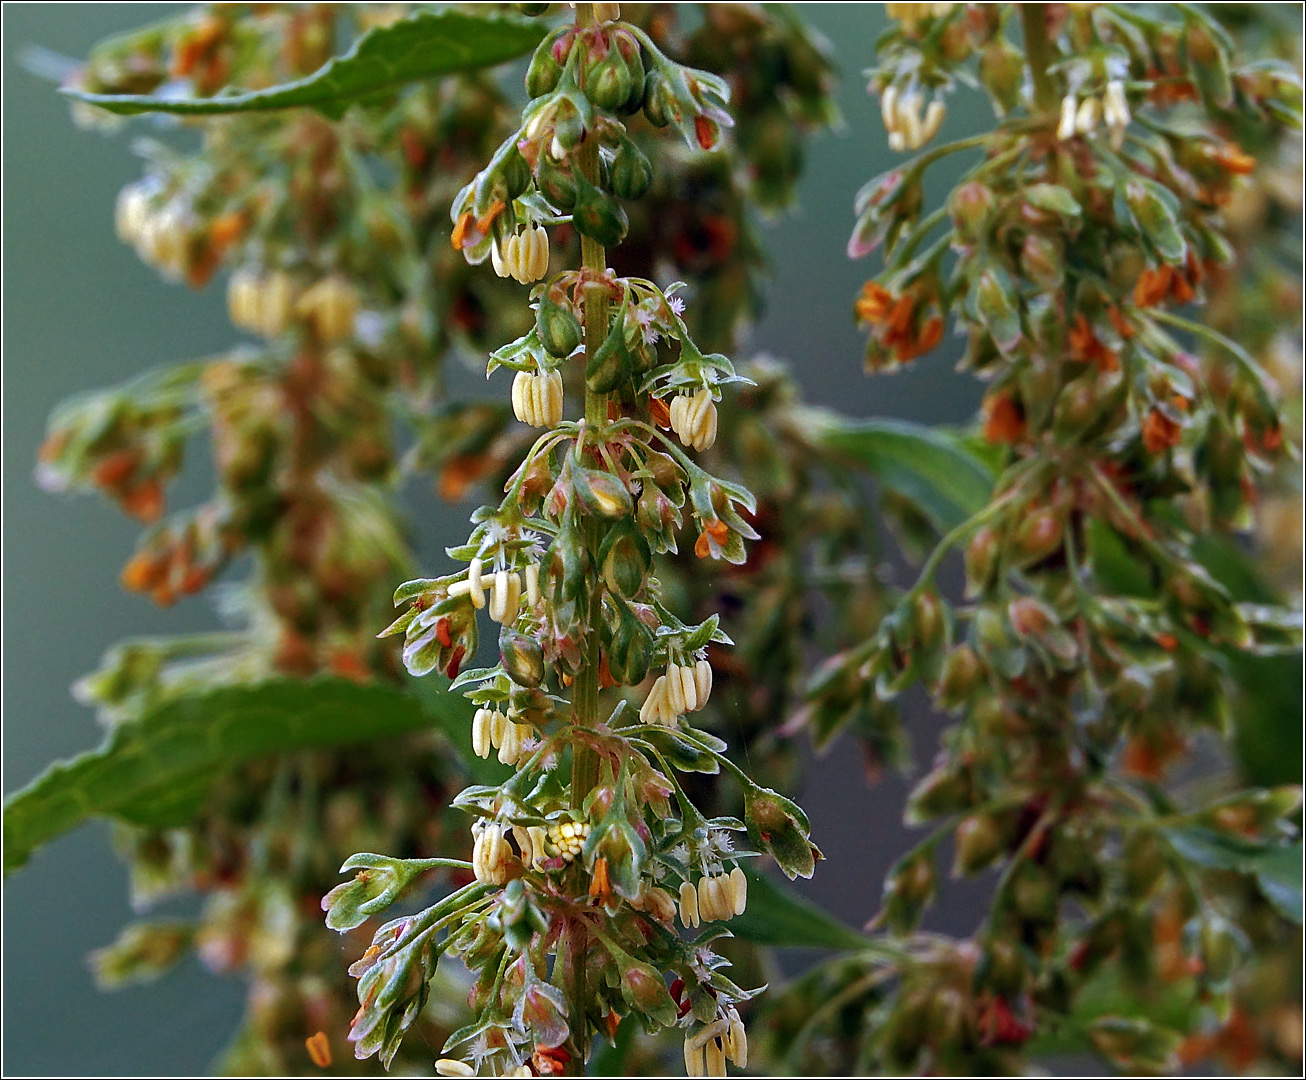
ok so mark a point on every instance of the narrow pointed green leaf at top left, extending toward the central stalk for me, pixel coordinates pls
(386, 58)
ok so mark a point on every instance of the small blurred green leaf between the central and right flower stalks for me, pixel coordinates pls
(923, 466)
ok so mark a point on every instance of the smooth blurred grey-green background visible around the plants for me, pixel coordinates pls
(82, 311)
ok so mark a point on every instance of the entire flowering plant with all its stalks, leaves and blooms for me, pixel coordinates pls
(383, 208)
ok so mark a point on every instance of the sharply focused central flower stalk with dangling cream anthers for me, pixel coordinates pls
(571, 924)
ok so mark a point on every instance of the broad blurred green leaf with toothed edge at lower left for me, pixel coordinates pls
(156, 770)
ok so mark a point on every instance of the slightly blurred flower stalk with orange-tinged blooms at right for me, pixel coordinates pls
(1104, 613)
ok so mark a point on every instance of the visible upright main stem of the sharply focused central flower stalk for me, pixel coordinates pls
(586, 689)
